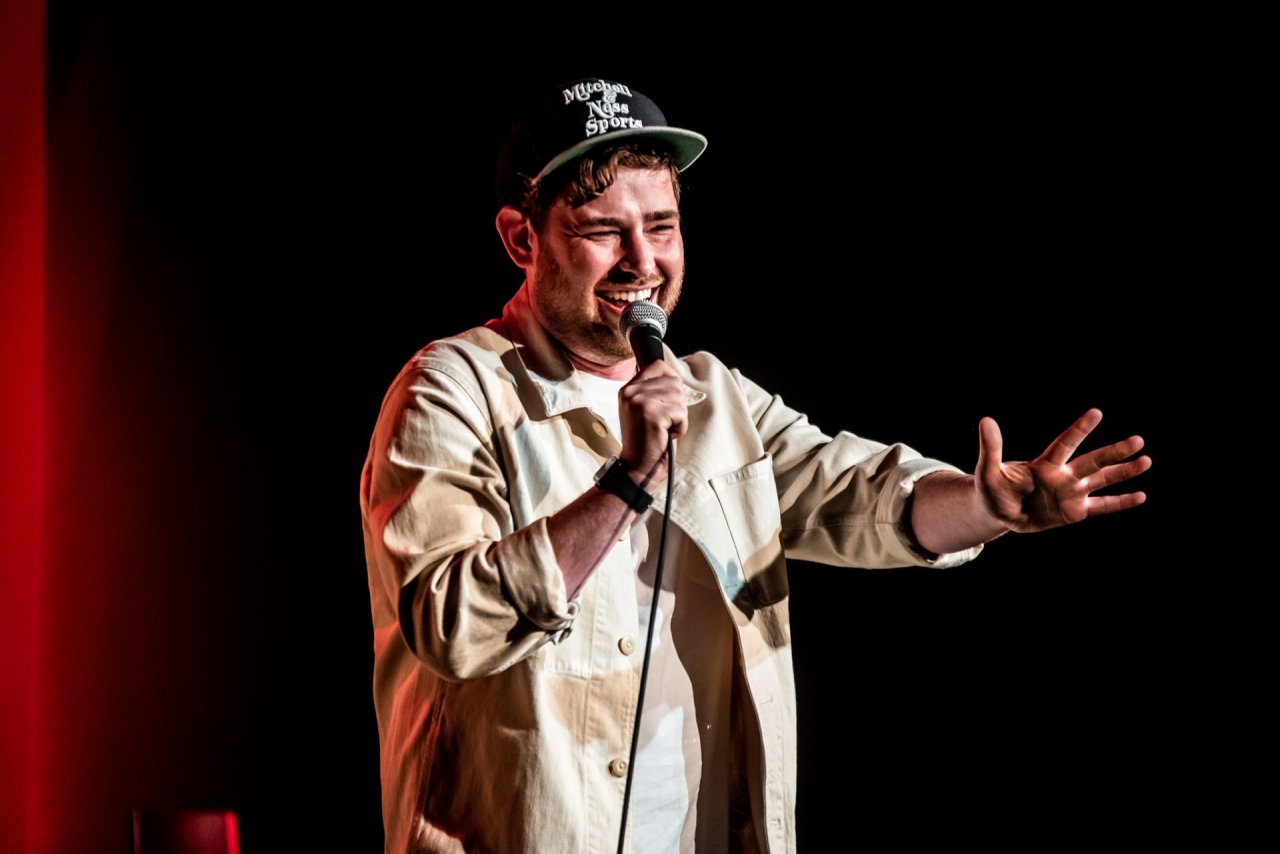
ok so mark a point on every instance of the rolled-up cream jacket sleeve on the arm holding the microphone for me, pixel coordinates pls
(470, 595)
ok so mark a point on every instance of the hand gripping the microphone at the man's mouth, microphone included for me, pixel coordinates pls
(652, 405)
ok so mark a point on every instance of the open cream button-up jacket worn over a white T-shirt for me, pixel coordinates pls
(505, 710)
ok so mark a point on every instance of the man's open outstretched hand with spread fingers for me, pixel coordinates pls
(1054, 490)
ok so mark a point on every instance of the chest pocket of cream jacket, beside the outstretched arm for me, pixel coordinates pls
(749, 500)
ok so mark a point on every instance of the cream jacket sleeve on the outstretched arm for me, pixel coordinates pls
(844, 500)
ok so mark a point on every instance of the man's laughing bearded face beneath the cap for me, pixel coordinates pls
(591, 262)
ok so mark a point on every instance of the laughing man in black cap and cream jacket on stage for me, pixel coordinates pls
(529, 483)
